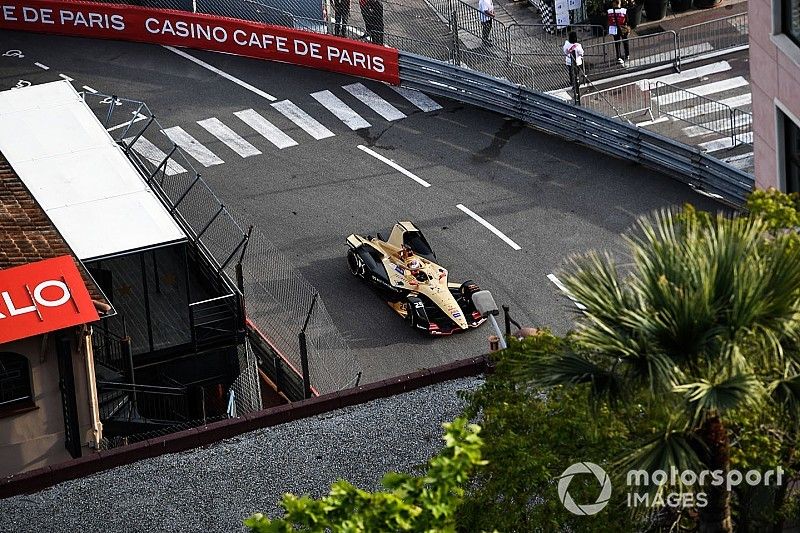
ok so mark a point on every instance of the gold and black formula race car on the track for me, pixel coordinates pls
(404, 272)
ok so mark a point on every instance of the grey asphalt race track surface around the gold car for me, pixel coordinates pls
(551, 197)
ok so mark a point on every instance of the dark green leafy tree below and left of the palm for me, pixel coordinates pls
(531, 437)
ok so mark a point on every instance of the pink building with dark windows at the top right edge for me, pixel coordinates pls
(775, 80)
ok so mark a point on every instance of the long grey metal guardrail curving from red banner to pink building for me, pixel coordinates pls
(685, 163)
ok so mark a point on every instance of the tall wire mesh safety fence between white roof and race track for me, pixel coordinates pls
(277, 297)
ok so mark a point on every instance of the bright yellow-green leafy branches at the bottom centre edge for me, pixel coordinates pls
(418, 504)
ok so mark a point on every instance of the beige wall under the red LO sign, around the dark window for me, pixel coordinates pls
(35, 439)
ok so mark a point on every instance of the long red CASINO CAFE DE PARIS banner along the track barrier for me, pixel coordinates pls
(205, 32)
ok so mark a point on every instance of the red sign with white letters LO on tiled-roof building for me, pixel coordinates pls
(44, 296)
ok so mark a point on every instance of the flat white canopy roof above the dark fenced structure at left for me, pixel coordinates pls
(79, 175)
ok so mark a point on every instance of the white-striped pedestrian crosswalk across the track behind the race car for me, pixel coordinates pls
(283, 124)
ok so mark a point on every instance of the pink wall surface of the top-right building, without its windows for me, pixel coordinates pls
(775, 82)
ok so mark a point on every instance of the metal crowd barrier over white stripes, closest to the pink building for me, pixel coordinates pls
(705, 114)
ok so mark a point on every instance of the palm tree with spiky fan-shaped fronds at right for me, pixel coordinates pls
(702, 322)
